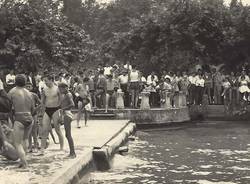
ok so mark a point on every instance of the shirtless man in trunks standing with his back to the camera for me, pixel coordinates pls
(23, 108)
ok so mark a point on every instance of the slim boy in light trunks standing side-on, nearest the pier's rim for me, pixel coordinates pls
(67, 104)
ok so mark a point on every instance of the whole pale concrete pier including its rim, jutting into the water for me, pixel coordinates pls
(55, 168)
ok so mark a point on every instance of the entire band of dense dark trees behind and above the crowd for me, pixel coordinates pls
(153, 34)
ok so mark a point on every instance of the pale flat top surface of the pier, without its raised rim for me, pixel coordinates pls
(46, 169)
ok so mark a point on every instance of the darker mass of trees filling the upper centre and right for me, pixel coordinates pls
(171, 35)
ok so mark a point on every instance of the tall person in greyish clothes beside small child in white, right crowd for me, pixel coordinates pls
(217, 80)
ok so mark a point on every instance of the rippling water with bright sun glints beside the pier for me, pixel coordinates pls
(214, 154)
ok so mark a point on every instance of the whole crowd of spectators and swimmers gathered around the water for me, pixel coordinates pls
(53, 96)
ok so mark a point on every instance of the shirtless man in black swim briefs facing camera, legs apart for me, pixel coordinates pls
(51, 102)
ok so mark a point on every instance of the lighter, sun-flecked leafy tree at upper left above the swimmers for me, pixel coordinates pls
(34, 35)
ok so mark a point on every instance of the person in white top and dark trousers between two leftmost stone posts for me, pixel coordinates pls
(123, 80)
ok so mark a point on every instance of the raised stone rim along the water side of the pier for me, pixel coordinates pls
(75, 172)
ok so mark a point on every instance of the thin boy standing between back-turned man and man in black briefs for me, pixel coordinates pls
(34, 131)
